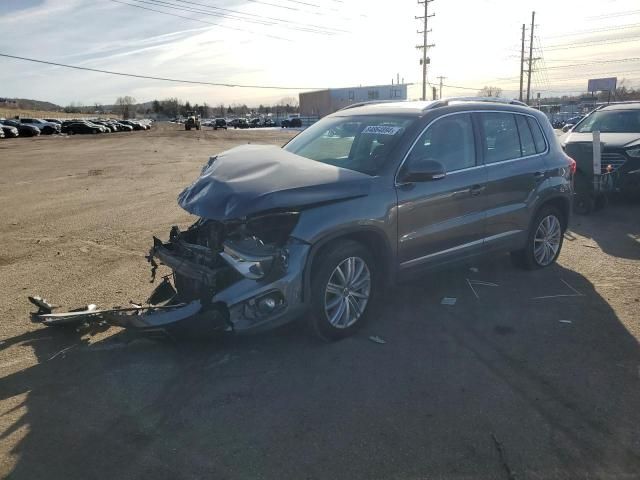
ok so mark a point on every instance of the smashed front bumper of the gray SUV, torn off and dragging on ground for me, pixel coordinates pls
(254, 301)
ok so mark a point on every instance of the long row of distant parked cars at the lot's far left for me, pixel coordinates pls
(31, 127)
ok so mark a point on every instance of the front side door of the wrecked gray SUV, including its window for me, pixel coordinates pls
(441, 220)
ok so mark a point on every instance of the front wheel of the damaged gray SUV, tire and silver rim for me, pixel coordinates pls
(330, 320)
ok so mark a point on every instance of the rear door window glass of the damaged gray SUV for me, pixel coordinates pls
(501, 139)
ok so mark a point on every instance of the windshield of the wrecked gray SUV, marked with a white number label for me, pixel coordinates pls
(360, 143)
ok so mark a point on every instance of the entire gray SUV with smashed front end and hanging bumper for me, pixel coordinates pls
(363, 198)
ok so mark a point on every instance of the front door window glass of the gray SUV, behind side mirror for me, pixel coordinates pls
(449, 141)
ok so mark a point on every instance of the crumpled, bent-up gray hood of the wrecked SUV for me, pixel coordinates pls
(253, 178)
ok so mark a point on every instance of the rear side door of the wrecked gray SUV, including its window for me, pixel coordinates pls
(514, 153)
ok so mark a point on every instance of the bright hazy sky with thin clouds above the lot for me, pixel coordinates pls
(307, 45)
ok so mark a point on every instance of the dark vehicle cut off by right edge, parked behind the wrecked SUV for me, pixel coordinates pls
(619, 127)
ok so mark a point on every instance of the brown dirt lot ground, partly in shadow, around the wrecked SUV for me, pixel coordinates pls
(501, 385)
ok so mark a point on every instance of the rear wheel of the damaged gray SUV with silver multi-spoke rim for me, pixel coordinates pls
(535, 255)
